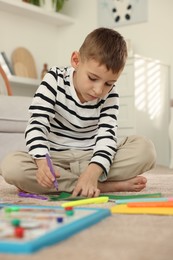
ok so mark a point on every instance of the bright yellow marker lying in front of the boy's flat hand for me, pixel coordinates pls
(85, 201)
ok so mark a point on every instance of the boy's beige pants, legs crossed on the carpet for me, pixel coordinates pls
(135, 155)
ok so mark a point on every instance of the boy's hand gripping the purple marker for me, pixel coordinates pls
(44, 175)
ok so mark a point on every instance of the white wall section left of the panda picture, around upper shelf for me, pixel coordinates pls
(48, 42)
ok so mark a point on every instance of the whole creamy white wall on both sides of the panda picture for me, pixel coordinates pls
(53, 44)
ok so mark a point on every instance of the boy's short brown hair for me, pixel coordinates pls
(105, 46)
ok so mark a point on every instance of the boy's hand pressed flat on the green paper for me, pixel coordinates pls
(87, 182)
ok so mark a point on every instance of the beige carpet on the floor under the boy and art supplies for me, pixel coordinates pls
(119, 237)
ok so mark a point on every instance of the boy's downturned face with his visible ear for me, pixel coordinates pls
(91, 80)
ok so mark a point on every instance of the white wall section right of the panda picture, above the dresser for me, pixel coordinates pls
(154, 38)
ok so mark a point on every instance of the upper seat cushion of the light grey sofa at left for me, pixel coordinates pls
(14, 113)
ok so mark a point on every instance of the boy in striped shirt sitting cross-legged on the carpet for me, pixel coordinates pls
(74, 119)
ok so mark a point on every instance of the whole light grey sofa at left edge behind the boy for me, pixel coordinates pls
(13, 120)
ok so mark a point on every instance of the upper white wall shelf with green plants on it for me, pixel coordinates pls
(38, 13)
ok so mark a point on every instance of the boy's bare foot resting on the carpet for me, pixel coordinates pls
(137, 183)
